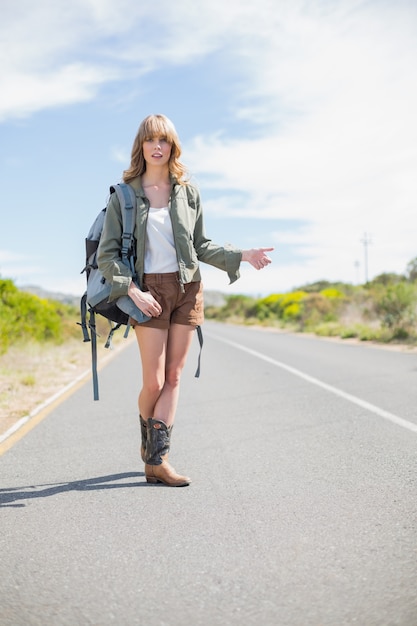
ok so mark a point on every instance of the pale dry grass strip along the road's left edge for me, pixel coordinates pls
(30, 375)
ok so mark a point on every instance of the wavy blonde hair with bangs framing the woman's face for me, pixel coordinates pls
(156, 126)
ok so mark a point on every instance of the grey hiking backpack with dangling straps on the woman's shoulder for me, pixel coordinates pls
(95, 298)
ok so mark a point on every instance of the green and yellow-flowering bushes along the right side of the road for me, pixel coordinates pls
(383, 310)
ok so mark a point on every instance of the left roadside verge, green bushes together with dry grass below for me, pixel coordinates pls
(41, 350)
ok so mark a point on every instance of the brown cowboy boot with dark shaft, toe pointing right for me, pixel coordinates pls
(157, 468)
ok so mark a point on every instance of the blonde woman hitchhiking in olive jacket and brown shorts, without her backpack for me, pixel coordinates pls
(170, 242)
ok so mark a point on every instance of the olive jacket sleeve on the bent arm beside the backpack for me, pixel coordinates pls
(108, 254)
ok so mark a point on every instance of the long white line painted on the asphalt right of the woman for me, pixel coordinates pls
(395, 419)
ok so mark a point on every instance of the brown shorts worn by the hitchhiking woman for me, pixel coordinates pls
(178, 307)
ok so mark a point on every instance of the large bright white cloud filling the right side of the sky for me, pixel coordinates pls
(337, 146)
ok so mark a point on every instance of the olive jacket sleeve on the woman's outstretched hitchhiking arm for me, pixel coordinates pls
(227, 257)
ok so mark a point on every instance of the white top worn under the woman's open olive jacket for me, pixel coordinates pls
(160, 254)
